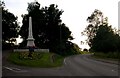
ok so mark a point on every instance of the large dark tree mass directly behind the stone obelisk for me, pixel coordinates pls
(48, 29)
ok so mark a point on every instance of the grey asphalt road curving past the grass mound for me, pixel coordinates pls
(77, 65)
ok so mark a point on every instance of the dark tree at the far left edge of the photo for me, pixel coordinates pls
(10, 26)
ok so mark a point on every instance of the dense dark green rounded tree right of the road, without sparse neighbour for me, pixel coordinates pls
(105, 40)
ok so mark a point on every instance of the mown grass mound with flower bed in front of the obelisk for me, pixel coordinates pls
(44, 60)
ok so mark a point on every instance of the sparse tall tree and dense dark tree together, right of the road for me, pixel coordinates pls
(101, 36)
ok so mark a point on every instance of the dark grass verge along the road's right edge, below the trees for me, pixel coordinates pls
(110, 56)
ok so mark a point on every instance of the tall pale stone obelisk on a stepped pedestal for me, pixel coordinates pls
(30, 40)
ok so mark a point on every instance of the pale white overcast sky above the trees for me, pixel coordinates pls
(75, 12)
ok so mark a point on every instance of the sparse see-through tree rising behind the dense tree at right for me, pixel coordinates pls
(95, 20)
